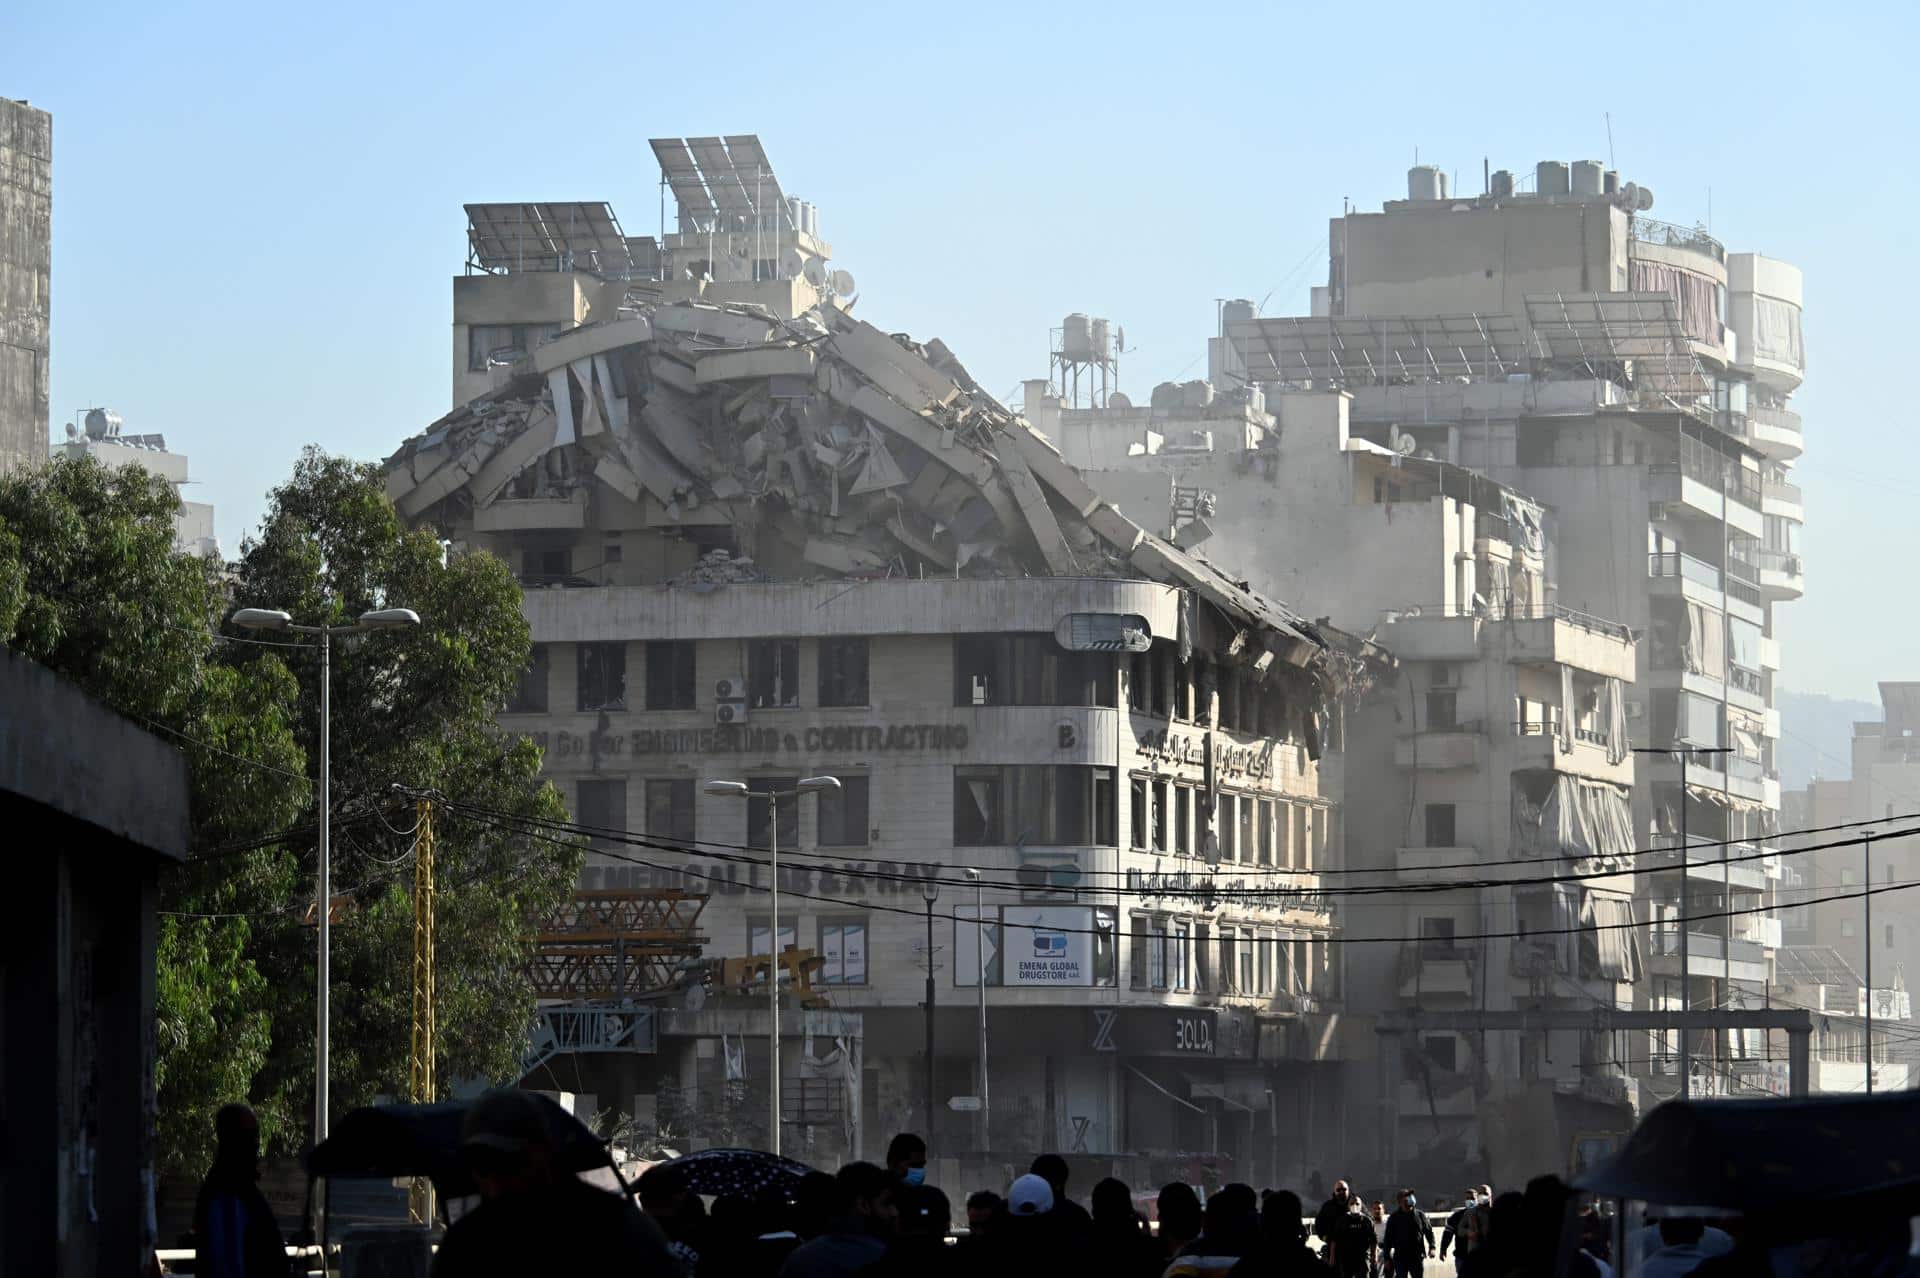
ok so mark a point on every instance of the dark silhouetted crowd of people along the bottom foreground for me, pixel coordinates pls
(888, 1221)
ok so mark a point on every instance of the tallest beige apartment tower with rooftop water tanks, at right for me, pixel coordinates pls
(1635, 379)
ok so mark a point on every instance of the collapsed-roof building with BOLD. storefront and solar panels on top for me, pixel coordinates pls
(765, 540)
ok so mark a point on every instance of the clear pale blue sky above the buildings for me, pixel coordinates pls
(258, 208)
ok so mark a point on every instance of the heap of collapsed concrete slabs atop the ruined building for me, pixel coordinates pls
(828, 446)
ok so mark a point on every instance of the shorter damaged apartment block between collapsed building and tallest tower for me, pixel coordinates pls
(1499, 753)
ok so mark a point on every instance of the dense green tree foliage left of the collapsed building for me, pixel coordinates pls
(93, 588)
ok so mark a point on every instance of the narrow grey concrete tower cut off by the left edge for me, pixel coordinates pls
(26, 277)
